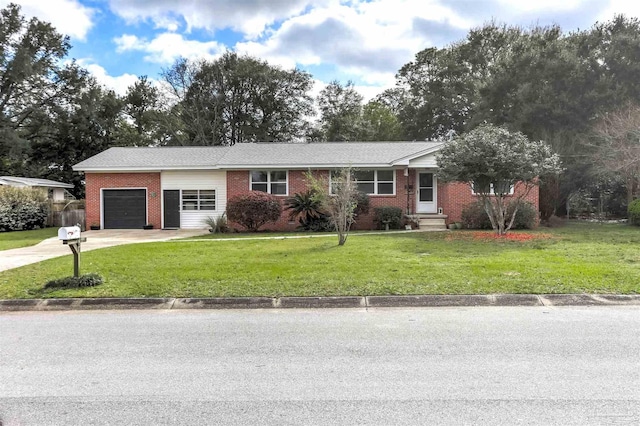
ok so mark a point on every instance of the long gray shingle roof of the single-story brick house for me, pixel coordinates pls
(253, 155)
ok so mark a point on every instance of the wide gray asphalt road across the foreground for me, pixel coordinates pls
(565, 366)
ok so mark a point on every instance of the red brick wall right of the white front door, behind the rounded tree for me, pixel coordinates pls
(453, 197)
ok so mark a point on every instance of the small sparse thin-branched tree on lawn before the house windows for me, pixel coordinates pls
(339, 199)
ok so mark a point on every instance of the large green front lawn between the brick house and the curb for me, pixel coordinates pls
(577, 258)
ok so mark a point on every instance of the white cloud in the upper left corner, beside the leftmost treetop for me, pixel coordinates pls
(69, 17)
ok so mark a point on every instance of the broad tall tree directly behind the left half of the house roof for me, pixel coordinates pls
(236, 99)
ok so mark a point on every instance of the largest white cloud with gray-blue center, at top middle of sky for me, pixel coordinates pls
(368, 40)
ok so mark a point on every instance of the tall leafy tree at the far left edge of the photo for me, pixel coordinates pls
(32, 82)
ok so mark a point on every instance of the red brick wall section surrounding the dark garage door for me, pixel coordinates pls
(96, 181)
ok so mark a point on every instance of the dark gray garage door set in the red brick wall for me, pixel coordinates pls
(124, 208)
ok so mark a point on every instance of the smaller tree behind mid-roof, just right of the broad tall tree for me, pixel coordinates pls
(340, 112)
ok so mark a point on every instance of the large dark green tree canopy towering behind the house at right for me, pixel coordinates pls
(541, 81)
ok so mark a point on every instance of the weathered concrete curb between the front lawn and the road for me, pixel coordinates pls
(445, 300)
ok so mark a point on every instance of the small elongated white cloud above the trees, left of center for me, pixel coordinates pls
(167, 47)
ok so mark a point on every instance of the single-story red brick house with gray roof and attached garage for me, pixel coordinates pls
(178, 187)
